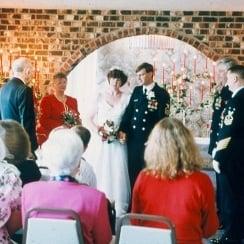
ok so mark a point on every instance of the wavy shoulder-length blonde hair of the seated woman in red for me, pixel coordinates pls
(171, 150)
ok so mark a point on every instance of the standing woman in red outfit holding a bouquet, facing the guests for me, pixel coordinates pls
(56, 109)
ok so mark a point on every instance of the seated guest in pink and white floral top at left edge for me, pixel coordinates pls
(10, 198)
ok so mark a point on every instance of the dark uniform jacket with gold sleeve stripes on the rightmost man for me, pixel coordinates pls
(230, 143)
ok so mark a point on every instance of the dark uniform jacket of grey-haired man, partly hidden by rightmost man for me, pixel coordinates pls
(220, 100)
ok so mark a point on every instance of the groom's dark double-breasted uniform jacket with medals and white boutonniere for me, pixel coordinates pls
(144, 111)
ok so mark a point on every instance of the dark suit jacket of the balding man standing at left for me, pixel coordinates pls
(16, 103)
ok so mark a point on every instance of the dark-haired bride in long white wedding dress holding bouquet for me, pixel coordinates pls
(107, 155)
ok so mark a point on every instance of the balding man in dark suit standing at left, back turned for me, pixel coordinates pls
(16, 98)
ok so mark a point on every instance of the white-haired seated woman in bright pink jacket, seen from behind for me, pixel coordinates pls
(62, 153)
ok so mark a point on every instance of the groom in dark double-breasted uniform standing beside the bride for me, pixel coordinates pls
(149, 103)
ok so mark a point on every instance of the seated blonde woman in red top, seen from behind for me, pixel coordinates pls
(172, 185)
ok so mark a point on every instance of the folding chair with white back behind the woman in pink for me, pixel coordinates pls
(63, 229)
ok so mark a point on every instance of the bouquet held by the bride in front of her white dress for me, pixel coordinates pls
(108, 131)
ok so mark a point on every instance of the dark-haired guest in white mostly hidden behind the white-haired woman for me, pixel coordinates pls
(86, 173)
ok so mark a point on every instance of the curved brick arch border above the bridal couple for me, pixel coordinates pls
(100, 41)
